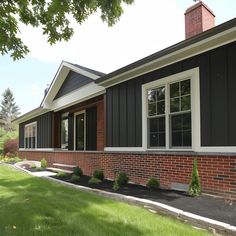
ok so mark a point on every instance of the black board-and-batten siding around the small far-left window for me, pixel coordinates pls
(44, 130)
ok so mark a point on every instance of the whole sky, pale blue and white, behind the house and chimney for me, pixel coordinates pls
(145, 27)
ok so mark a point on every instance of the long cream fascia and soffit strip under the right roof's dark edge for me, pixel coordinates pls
(202, 46)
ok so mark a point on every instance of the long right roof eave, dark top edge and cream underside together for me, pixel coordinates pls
(205, 41)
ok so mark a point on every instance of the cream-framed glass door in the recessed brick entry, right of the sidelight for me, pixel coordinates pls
(80, 131)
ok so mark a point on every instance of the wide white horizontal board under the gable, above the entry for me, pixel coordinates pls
(84, 93)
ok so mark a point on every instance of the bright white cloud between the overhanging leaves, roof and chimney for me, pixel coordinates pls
(144, 28)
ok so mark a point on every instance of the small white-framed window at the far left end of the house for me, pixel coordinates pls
(31, 135)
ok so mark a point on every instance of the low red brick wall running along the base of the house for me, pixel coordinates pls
(217, 173)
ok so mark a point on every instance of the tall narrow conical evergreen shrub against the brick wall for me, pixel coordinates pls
(194, 187)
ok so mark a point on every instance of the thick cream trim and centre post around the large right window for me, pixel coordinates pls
(192, 74)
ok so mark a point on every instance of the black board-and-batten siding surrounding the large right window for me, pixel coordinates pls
(217, 100)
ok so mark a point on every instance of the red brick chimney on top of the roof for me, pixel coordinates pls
(198, 18)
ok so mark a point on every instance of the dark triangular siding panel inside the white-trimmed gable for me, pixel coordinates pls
(72, 82)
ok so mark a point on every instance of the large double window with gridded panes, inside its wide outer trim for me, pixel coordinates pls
(169, 115)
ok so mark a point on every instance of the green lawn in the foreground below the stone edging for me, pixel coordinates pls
(33, 206)
